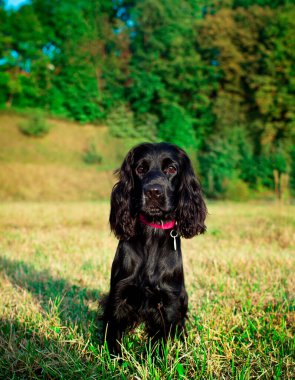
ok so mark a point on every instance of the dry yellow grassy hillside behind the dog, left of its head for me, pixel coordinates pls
(52, 167)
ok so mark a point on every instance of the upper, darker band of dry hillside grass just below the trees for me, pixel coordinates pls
(64, 144)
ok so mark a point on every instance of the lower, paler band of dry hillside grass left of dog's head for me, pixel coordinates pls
(36, 182)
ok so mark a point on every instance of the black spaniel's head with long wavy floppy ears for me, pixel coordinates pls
(157, 181)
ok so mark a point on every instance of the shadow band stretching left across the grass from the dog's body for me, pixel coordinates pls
(55, 295)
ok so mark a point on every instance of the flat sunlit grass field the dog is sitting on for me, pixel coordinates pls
(55, 265)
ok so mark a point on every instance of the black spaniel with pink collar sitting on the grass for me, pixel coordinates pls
(157, 200)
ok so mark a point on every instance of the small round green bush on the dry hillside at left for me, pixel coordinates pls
(35, 125)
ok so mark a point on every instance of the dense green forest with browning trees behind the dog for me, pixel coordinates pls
(215, 77)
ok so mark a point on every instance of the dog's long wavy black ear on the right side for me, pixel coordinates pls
(191, 209)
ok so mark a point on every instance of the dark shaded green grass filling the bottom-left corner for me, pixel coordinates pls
(28, 352)
